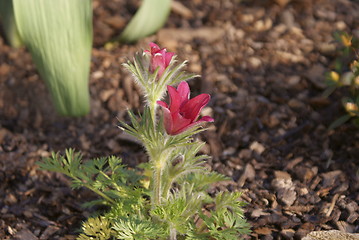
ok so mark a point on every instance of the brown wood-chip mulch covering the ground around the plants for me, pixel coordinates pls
(263, 62)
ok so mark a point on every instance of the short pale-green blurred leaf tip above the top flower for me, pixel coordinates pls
(151, 16)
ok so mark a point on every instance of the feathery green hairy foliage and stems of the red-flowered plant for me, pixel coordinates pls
(166, 198)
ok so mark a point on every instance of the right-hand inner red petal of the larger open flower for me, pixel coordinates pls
(192, 108)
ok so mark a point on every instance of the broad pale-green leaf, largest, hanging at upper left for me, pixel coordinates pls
(59, 37)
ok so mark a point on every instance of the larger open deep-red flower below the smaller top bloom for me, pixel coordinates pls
(182, 113)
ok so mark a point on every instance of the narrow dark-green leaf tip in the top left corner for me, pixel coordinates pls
(9, 24)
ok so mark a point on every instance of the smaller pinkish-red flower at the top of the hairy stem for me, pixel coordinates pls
(160, 58)
